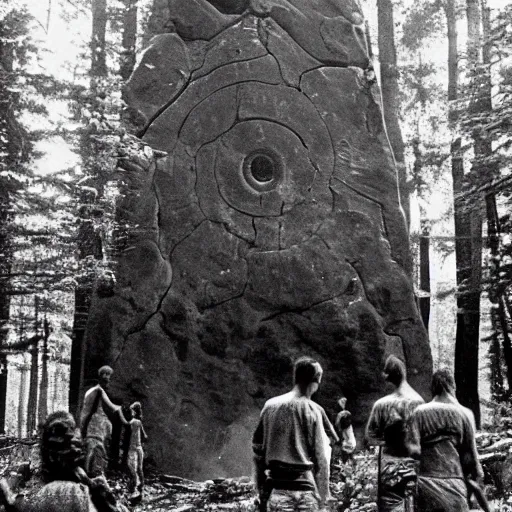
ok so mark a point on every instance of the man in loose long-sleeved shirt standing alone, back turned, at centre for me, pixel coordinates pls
(291, 445)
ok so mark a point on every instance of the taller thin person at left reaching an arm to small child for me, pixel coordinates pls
(95, 424)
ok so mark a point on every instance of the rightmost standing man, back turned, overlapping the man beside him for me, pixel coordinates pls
(443, 435)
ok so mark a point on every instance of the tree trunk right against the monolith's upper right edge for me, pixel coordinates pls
(390, 95)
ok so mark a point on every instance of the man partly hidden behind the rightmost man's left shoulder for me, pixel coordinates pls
(388, 422)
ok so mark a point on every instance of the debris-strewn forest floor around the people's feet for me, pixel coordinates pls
(353, 485)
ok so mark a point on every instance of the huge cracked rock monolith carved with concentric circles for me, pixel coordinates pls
(271, 229)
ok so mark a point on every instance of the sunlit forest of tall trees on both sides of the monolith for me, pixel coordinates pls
(67, 137)
